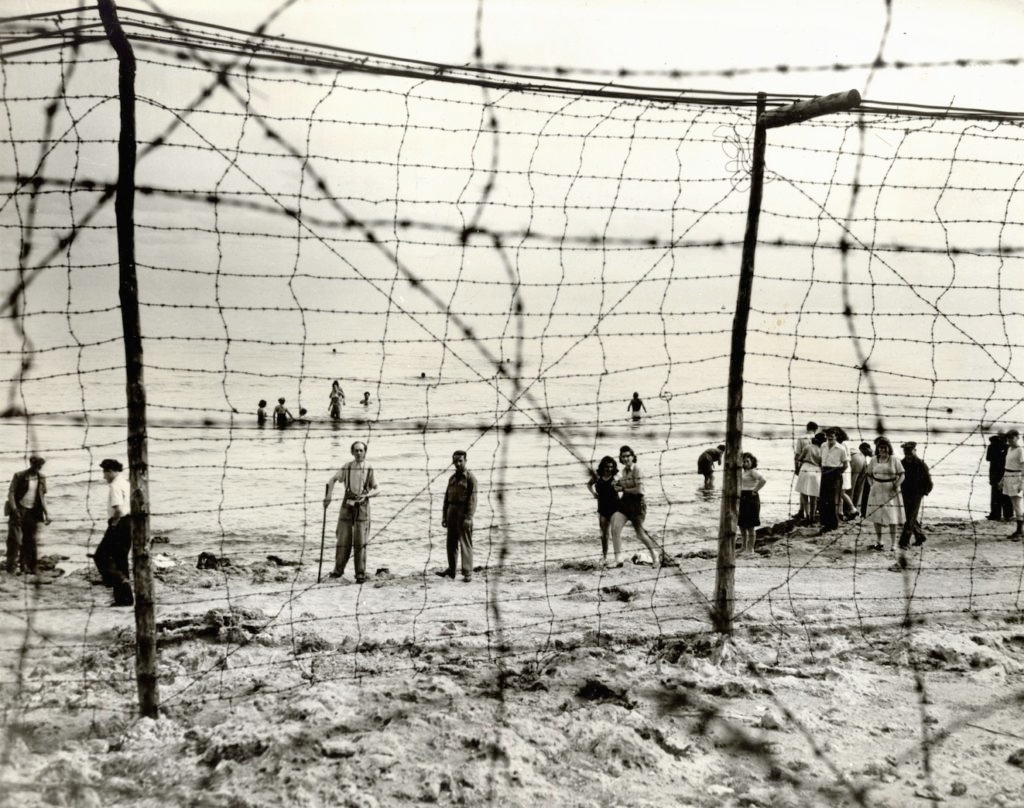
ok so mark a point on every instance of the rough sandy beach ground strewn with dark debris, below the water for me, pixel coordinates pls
(563, 684)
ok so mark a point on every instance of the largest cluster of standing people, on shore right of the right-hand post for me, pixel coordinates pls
(835, 483)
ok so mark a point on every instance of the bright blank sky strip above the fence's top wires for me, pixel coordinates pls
(667, 35)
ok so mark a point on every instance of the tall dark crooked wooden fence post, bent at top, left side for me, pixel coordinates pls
(124, 206)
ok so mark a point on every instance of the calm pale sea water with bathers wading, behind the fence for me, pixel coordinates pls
(221, 484)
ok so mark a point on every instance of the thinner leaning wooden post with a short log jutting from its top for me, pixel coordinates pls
(795, 113)
